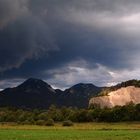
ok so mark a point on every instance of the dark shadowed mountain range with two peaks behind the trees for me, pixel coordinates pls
(35, 93)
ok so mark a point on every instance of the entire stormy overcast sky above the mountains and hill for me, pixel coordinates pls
(65, 42)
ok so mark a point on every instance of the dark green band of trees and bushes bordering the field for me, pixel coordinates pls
(128, 112)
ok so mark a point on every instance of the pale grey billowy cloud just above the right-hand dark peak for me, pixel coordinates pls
(79, 72)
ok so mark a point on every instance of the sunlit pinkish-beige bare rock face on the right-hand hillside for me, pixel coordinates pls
(119, 97)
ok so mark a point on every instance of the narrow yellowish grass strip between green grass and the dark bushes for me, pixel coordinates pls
(81, 126)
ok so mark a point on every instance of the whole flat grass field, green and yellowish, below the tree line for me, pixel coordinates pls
(86, 131)
